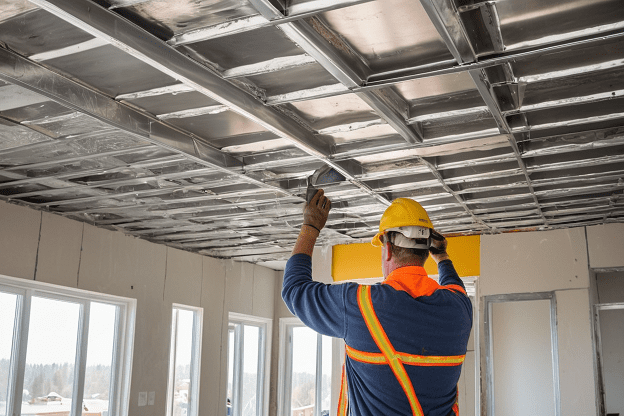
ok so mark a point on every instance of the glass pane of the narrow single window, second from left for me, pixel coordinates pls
(182, 376)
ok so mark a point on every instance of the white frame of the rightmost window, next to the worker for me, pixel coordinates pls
(285, 368)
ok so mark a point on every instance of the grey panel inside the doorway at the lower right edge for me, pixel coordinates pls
(612, 339)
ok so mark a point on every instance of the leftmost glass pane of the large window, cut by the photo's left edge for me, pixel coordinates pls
(8, 303)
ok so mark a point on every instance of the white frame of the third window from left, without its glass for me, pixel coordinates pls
(264, 358)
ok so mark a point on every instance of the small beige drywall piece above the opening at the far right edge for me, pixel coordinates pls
(605, 244)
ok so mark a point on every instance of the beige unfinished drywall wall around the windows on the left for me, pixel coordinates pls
(45, 247)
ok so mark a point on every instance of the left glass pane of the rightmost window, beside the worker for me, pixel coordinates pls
(303, 371)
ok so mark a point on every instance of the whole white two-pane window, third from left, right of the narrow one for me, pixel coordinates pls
(248, 343)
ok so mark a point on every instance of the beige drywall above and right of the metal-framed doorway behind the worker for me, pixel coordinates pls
(544, 262)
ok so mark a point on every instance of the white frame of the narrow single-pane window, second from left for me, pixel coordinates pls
(198, 317)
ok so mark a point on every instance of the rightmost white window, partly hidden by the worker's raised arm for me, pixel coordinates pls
(306, 370)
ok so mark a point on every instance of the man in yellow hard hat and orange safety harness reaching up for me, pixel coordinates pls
(406, 338)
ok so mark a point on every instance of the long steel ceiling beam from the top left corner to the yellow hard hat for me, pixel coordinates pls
(140, 44)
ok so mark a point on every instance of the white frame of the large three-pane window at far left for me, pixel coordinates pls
(121, 368)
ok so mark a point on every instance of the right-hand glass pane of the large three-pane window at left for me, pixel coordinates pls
(99, 359)
